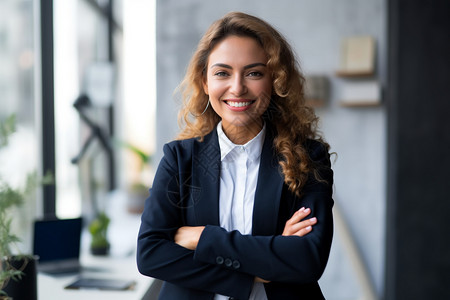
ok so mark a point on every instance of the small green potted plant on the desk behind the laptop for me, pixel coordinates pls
(98, 229)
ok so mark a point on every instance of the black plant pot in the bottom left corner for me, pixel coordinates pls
(24, 288)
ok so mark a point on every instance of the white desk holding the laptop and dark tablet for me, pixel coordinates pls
(110, 267)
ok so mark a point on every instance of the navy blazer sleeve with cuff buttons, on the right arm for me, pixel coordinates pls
(282, 258)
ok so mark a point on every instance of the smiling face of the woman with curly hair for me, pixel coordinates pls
(238, 83)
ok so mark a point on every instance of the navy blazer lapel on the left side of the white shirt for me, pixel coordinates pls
(206, 176)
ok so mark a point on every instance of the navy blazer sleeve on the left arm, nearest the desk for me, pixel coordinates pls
(160, 257)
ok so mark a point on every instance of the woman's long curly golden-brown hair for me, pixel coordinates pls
(294, 122)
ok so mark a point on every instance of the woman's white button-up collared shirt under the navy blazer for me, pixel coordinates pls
(238, 178)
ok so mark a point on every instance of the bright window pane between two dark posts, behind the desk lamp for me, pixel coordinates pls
(81, 41)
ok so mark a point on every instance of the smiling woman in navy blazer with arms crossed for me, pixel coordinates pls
(241, 203)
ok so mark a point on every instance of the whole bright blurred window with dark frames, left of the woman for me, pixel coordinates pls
(81, 39)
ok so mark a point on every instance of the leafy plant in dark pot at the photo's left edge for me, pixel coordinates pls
(17, 271)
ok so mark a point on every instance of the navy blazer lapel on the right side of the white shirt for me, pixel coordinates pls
(268, 190)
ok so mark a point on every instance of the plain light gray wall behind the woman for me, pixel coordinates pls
(358, 135)
